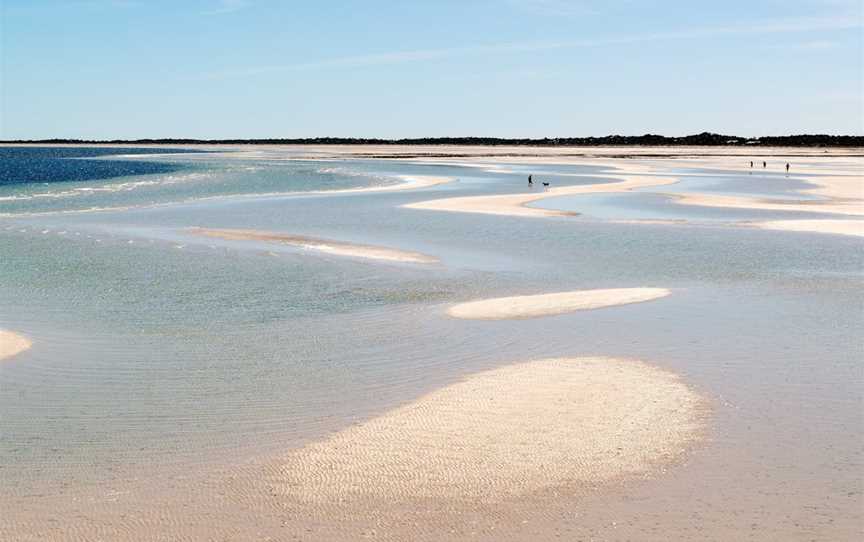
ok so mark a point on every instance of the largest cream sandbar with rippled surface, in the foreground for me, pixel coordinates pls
(504, 433)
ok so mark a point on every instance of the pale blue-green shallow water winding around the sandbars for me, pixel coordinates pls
(158, 349)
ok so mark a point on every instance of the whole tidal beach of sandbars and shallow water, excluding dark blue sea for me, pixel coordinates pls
(406, 342)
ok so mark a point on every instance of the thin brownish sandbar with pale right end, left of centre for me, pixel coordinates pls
(328, 246)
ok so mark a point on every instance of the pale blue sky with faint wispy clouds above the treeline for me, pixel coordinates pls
(105, 69)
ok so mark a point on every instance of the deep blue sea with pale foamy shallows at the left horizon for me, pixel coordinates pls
(75, 184)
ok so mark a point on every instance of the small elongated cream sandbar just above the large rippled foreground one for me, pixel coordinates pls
(533, 306)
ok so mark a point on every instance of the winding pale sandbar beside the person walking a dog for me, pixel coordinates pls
(515, 204)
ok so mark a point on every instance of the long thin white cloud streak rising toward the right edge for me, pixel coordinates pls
(809, 24)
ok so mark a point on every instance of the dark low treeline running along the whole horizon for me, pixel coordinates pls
(705, 138)
